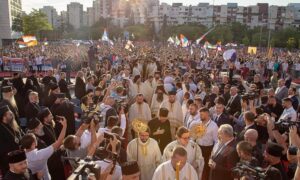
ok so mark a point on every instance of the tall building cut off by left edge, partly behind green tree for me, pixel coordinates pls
(9, 10)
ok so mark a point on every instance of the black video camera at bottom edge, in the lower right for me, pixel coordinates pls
(243, 169)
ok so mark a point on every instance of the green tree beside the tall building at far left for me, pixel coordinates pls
(34, 22)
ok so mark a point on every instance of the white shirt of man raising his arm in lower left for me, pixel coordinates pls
(37, 161)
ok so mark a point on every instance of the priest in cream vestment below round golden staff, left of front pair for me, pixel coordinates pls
(146, 152)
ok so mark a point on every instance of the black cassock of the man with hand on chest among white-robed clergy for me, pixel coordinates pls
(162, 139)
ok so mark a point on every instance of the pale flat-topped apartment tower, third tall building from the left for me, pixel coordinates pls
(75, 14)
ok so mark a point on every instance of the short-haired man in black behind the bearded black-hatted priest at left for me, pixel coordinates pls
(32, 108)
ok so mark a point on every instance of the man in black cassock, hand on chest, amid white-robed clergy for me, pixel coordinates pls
(160, 129)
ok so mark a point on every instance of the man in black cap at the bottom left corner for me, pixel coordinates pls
(18, 167)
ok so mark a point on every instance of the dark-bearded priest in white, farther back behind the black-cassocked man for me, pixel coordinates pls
(159, 96)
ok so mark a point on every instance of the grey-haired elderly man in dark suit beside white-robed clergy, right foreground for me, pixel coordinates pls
(224, 156)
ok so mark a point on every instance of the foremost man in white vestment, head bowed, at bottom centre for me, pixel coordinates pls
(177, 168)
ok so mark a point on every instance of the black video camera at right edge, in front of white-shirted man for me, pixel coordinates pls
(283, 125)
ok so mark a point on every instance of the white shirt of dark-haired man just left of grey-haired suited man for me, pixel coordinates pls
(211, 136)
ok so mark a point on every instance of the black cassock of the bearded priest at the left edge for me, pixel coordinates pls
(9, 141)
